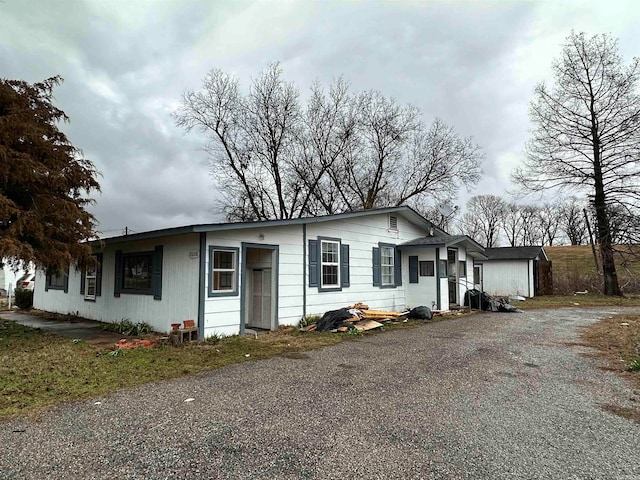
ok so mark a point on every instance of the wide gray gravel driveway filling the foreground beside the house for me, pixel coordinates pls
(492, 396)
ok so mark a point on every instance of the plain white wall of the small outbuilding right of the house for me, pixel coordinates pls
(508, 277)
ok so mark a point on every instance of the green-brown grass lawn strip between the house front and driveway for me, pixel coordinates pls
(39, 370)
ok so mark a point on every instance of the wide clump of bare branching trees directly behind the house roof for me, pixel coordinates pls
(272, 157)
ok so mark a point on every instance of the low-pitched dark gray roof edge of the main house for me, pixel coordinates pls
(407, 212)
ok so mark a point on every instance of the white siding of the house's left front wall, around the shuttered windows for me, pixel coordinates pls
(179, 288)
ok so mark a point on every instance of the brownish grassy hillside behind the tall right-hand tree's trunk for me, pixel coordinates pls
(574, 268)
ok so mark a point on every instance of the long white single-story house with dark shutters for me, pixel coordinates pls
(234, 276)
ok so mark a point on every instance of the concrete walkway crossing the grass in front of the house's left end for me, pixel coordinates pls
(86, 330)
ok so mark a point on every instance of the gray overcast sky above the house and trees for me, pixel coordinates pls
(126, 64)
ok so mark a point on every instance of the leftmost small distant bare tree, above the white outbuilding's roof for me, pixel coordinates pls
(483, 218)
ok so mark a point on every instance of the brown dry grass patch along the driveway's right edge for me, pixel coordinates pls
(617, 340)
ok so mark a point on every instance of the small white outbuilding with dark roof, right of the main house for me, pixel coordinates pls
(524, 271)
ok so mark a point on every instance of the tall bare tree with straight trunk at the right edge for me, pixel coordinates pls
(587, 134)
